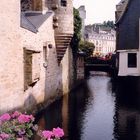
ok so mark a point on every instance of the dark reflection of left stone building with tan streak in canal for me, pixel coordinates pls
(67, 113)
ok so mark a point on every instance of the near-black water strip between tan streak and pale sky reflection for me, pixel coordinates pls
(78, 102)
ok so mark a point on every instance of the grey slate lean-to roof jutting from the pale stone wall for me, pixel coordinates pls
(33, 20)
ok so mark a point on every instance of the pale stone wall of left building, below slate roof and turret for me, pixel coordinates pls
(21, 49)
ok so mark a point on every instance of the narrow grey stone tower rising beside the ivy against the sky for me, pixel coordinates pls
(82, 13)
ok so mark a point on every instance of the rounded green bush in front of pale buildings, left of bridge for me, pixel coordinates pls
(86, 47)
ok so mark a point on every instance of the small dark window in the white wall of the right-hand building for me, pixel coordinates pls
(132, 60)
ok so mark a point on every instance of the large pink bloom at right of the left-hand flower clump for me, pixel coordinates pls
(25, 118)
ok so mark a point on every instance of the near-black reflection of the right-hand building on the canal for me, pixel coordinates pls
(127, 116)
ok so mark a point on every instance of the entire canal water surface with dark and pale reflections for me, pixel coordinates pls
(99, 109)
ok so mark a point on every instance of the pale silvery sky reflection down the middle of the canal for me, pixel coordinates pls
(99, 125)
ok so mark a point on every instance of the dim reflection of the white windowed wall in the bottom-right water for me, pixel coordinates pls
(128, 124)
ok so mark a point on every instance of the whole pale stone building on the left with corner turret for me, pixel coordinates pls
(36, 56)
